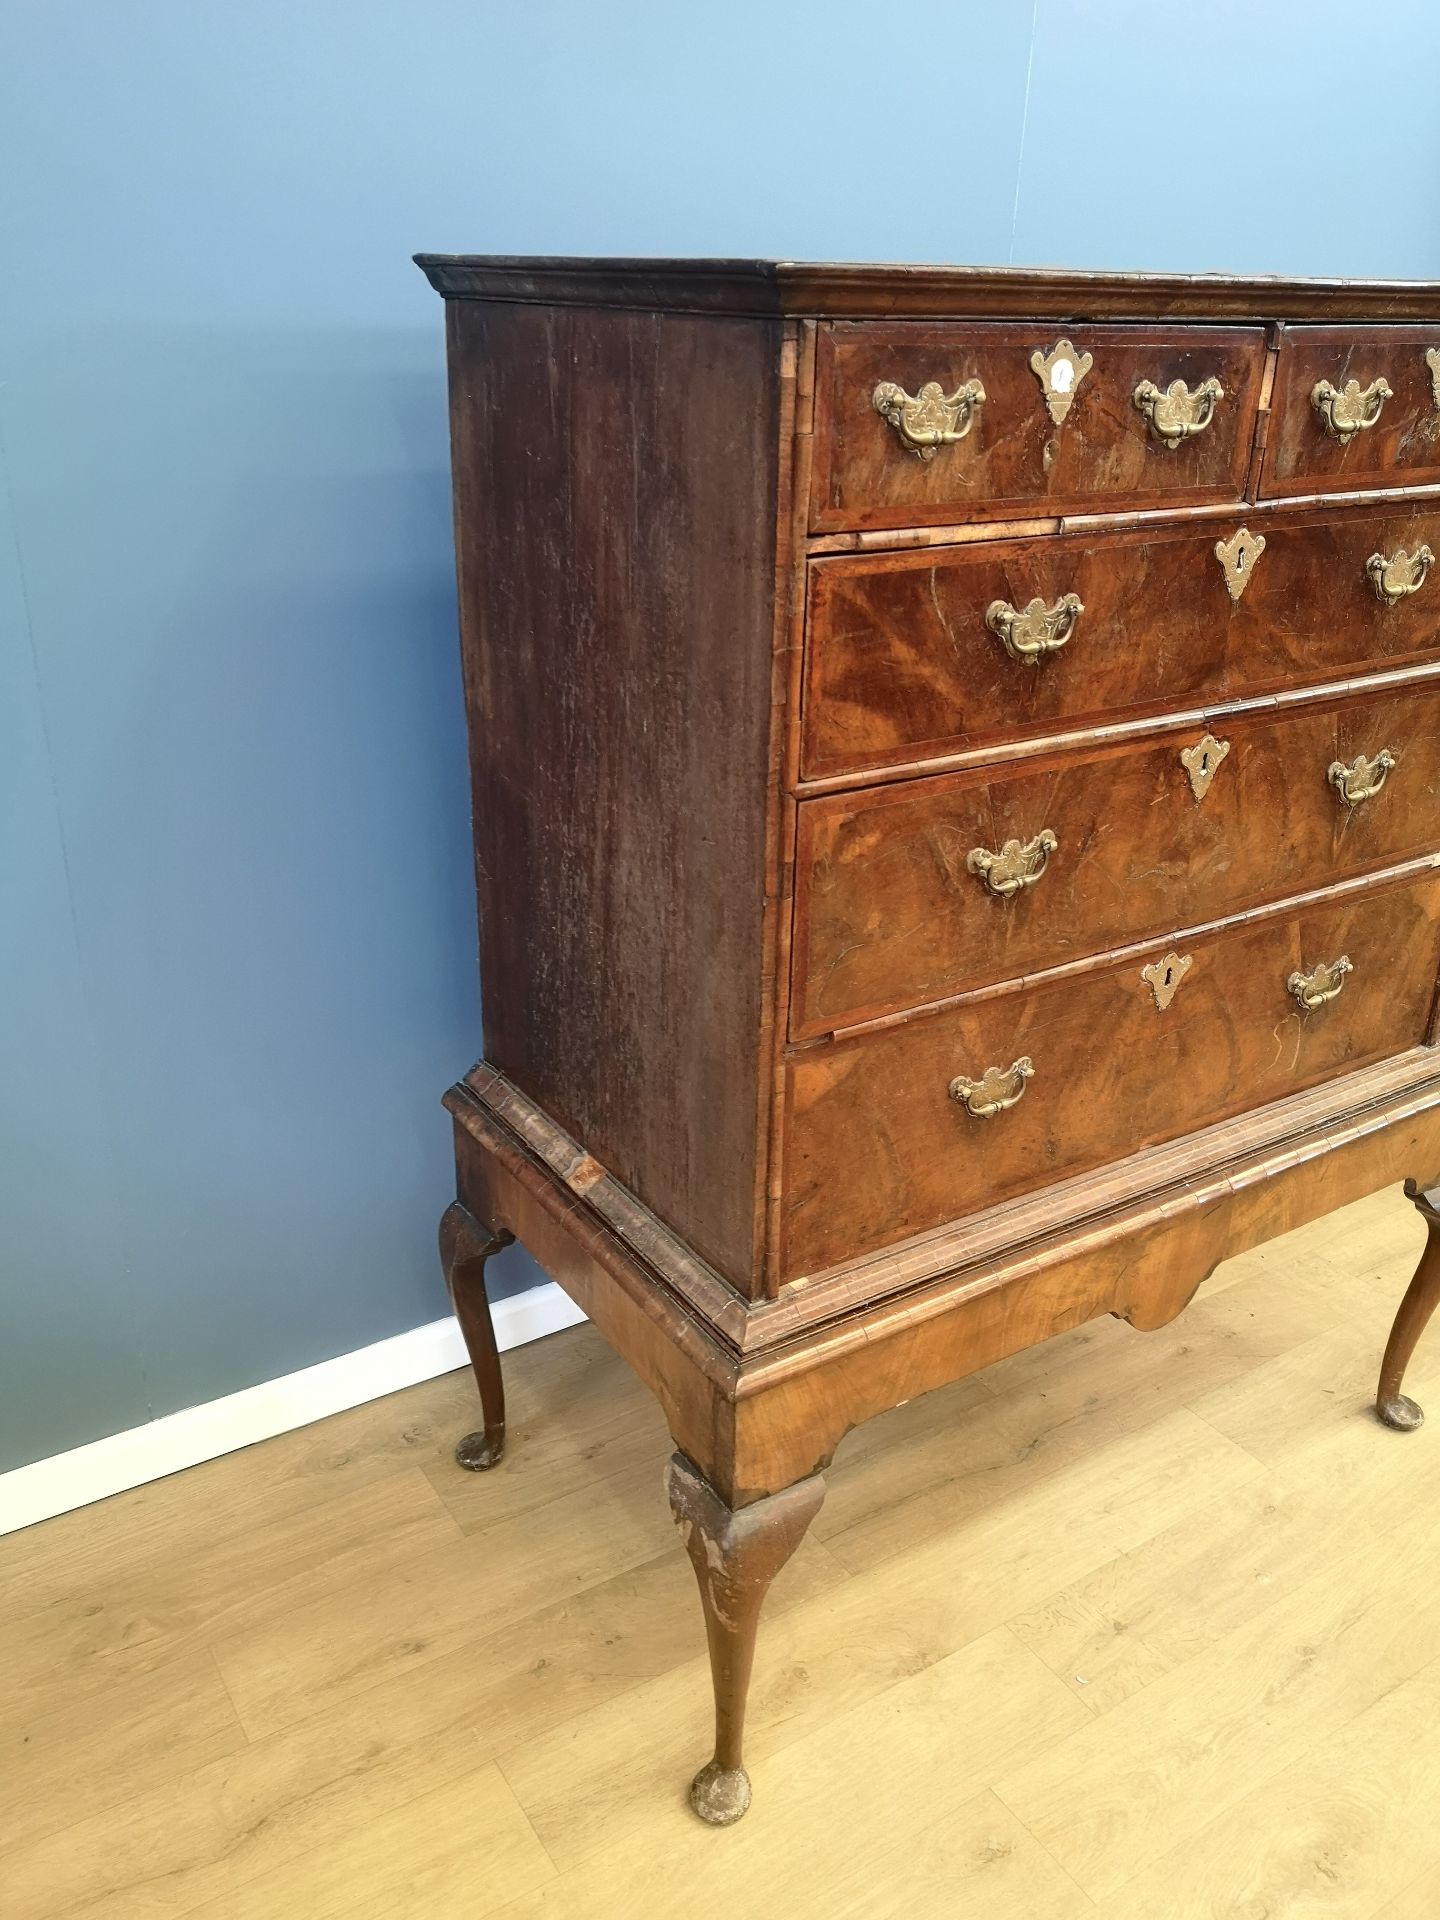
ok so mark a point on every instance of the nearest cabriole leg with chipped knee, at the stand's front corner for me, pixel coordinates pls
(736, 1556)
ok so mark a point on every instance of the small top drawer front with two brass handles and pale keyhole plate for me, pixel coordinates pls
(878, 462)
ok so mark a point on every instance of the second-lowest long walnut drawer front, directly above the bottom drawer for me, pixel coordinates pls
(917, 892)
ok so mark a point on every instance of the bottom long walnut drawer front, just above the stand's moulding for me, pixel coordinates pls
(880, 1149)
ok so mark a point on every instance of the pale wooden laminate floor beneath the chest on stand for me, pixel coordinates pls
(1143, 1627)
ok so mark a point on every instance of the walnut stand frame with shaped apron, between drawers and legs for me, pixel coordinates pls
(759, 1422)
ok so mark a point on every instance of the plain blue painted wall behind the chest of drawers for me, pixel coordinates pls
(237, 957)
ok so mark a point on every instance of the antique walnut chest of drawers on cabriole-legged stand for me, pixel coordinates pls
(957, 817)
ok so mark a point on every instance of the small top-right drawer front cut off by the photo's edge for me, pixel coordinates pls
(1355, 408)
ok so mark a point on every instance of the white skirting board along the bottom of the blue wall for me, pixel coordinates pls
(103, 1468)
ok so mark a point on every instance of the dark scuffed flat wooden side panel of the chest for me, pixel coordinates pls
(617, 483)
